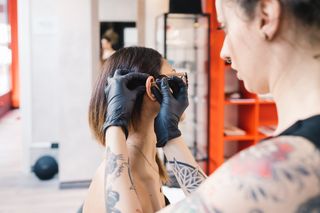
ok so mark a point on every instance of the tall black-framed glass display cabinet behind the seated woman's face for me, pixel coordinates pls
(183, 39)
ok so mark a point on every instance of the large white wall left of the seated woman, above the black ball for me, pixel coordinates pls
(58, 61)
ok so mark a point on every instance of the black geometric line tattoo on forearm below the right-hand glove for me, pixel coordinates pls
(187, 176)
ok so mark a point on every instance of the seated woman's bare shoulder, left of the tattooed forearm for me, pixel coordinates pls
(94, 201)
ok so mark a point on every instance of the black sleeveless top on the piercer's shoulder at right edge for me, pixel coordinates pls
(308, 128)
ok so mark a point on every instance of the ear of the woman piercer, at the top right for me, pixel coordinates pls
(269, 12)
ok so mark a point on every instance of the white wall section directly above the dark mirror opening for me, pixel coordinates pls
(117, 10)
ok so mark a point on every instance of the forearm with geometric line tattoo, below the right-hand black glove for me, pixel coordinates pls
(187, 171)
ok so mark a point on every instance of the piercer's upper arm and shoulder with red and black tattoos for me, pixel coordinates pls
(279, 175)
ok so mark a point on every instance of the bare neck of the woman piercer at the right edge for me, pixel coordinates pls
(297, 90)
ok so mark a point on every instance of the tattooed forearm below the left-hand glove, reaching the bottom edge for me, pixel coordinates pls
(120, 194)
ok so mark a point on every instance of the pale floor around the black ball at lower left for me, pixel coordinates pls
(22, 192)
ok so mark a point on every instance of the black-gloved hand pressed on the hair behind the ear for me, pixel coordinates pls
(121, 92)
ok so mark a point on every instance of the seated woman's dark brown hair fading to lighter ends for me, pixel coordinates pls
(133, 59)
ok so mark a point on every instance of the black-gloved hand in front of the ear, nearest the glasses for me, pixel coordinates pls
(171, 108)
